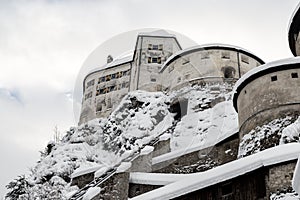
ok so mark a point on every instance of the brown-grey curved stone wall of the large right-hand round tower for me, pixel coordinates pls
(273, 99)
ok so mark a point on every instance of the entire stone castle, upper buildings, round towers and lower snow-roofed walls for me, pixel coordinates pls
(254, 162)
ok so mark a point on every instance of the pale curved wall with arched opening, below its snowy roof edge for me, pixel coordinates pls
(208, 64)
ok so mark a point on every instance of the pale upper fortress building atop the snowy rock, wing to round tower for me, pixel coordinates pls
(159, 64)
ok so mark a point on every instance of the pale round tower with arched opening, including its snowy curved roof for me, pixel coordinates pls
(207, 64)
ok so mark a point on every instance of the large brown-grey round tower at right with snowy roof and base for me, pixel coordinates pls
(267, 93)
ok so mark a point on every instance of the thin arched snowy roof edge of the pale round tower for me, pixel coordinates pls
(207, 47)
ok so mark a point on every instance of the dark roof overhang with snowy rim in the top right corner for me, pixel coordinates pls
(293, 27)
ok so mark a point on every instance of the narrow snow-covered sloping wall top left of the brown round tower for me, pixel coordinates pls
(181, 152)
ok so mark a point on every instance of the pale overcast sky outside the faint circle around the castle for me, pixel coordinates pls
(43, 45)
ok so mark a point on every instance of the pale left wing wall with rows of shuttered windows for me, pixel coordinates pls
(100, 96)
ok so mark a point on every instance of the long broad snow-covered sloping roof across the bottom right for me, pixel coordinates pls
(197, 181)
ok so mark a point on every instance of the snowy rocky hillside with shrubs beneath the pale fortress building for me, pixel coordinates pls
(141, 117)
